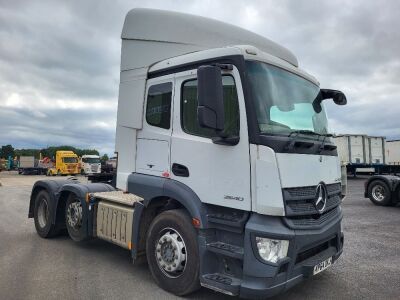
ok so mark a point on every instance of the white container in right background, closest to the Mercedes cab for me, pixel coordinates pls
(352, 148)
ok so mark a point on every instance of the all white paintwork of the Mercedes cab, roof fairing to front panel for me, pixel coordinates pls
(244, 176)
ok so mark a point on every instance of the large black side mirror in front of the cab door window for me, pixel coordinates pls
(210, 109)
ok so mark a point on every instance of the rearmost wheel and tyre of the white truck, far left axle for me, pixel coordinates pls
(42, 216)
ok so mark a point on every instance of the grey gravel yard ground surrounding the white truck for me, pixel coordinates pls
(35, 268)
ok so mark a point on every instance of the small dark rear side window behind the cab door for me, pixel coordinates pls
(158, 110)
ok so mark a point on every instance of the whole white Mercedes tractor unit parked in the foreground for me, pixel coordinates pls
(226, 177)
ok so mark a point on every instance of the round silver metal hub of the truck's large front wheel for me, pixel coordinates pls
(171, 253)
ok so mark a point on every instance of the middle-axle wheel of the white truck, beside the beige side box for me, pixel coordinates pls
(74, 218)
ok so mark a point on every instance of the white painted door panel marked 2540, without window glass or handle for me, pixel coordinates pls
(216, 171)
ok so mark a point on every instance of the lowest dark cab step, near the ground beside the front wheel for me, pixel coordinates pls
(221, 283)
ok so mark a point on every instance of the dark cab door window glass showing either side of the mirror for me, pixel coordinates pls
(190, 123)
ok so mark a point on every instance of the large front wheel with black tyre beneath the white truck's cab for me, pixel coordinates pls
(172, 252)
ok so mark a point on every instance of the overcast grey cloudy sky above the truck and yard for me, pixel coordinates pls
(59, 62)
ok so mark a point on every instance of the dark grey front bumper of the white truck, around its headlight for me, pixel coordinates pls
(306, 249)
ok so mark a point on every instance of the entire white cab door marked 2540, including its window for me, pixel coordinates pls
(218, 174)
